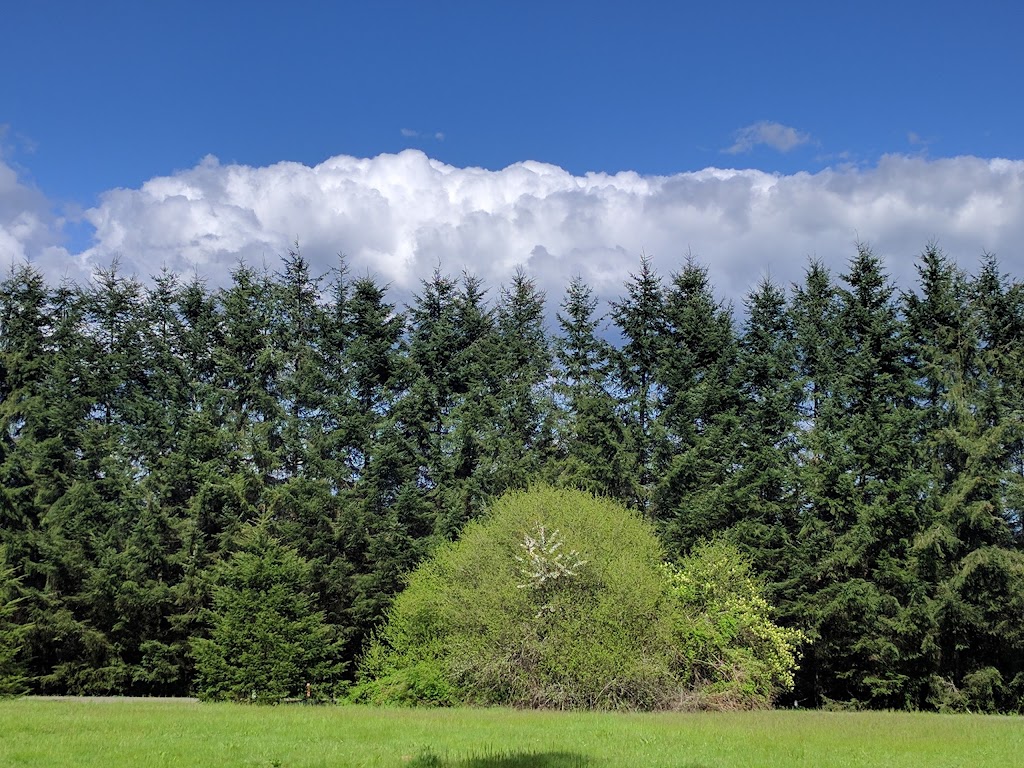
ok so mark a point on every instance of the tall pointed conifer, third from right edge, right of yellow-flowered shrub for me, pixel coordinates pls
(866, 489)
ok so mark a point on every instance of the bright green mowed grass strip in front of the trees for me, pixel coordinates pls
(144, 734)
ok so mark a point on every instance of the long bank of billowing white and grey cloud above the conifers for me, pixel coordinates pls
(400, 217)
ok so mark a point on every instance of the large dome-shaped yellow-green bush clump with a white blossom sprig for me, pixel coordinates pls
(559, 600)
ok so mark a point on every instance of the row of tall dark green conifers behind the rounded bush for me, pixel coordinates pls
(166, 444)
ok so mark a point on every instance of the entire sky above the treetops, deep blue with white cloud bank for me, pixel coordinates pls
(851, 103)
